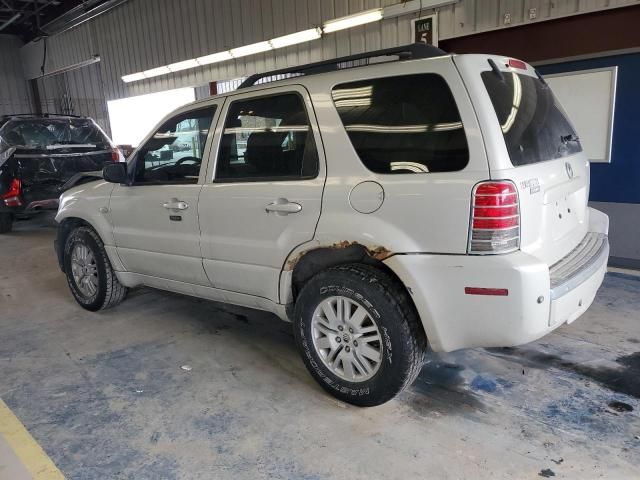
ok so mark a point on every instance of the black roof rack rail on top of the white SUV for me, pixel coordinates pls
(406, 52)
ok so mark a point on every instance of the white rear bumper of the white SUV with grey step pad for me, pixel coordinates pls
(539, 299)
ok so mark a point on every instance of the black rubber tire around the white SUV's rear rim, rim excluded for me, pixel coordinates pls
(388, 304)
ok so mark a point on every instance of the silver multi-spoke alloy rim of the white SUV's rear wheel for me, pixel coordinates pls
(347, 339)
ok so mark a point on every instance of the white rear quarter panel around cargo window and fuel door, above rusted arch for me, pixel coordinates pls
(426, 212)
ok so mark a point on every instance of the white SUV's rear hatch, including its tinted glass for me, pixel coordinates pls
(531, 142)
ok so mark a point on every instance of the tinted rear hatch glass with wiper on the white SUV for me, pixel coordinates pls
(534, 126)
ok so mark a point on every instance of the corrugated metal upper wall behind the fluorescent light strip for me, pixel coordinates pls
(143, 34)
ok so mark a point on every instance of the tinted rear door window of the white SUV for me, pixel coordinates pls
(267, 138)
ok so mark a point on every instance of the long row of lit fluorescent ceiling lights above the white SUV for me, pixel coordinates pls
(330, 26)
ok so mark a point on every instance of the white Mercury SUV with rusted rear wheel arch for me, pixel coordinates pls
(434, 201)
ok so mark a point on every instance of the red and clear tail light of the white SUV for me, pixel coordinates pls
(495, 218)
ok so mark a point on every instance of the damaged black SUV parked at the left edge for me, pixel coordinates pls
(43, 155)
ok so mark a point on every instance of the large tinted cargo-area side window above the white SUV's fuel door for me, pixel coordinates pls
(407, 124)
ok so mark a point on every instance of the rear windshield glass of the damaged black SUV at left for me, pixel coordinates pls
(50, 133)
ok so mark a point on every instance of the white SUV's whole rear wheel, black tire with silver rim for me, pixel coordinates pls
(359, 334)
